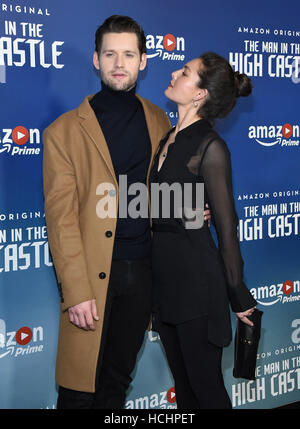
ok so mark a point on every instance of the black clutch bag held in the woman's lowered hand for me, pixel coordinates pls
(246, 345)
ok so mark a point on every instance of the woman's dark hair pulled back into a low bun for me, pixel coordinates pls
(223, 86)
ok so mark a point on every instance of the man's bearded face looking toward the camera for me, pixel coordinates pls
(119, 60)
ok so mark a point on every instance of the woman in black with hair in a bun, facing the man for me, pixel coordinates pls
(194, 281)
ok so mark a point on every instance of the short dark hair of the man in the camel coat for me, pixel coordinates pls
(120, 24)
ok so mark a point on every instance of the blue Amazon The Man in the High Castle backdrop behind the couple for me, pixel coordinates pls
(46, 50)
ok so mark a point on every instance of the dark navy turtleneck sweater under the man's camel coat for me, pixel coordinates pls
(122, 120)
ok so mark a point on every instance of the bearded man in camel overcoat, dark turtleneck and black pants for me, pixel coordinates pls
(102, 263)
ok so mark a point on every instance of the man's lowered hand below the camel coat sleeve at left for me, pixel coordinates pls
(83, 315)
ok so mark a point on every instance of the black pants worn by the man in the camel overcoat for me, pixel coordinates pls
(127, 316)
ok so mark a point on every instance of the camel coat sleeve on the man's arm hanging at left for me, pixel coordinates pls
(62, 219)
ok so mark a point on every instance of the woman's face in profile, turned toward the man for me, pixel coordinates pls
(183, 88)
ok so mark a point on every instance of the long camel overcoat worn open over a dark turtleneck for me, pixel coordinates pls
(76, 161)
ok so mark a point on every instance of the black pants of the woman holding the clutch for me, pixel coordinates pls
(195, 365)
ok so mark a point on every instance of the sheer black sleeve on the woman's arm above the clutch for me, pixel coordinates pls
(216, 172)
